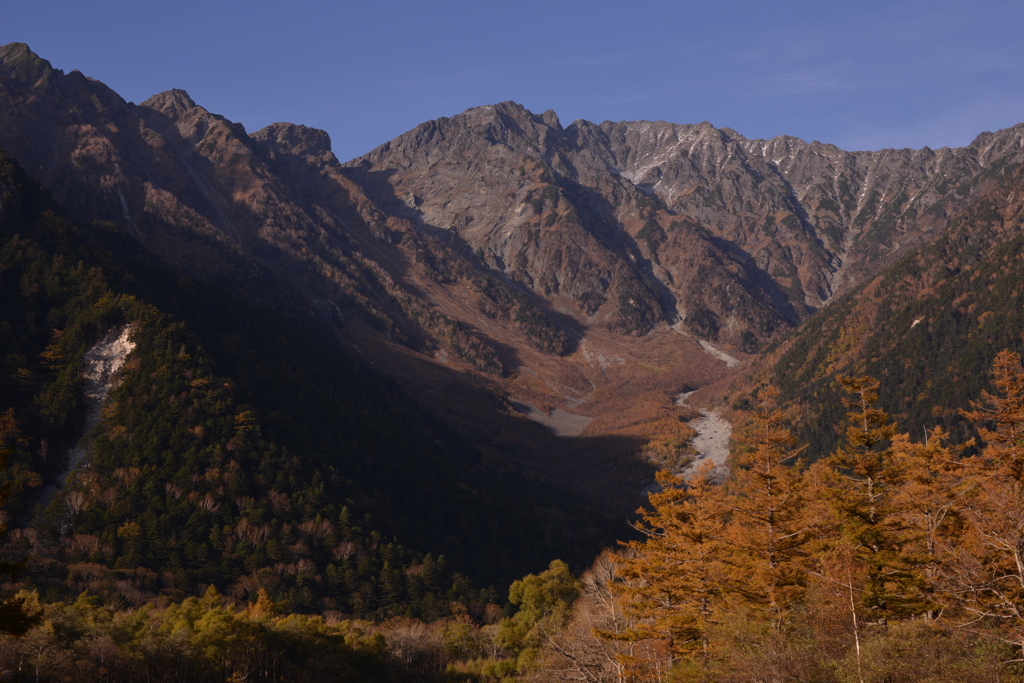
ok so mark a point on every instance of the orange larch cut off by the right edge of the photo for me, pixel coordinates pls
(986, 575)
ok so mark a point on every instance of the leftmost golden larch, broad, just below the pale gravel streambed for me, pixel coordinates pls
(677, 578)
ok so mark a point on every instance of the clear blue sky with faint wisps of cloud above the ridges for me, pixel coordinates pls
(864, 76)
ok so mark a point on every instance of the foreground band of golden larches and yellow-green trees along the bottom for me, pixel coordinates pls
(890, 561)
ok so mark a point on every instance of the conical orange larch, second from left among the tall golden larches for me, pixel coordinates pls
(773, 520)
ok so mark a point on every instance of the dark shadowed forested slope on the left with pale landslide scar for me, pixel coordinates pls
(238, 449)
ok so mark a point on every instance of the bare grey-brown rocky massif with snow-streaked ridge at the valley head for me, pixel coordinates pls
(638, 222)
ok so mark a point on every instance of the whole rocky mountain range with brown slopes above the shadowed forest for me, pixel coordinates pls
(500, 266)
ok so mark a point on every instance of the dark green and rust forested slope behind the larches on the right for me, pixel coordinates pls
(928, 328)
